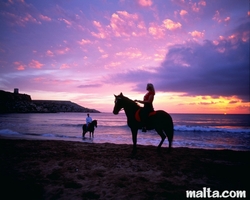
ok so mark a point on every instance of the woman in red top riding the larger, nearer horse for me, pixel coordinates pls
(148, 105)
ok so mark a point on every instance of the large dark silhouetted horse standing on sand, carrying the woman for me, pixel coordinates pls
(161, 121)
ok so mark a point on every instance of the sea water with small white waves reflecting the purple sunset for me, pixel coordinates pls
(208, 131)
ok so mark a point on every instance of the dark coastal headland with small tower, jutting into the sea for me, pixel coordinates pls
(22, 103)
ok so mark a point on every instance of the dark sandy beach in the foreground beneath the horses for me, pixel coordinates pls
(41, 169)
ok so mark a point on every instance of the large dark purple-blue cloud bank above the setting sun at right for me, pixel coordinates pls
(213, 68)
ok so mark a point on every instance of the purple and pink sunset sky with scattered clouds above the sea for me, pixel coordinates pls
(195, 52)
